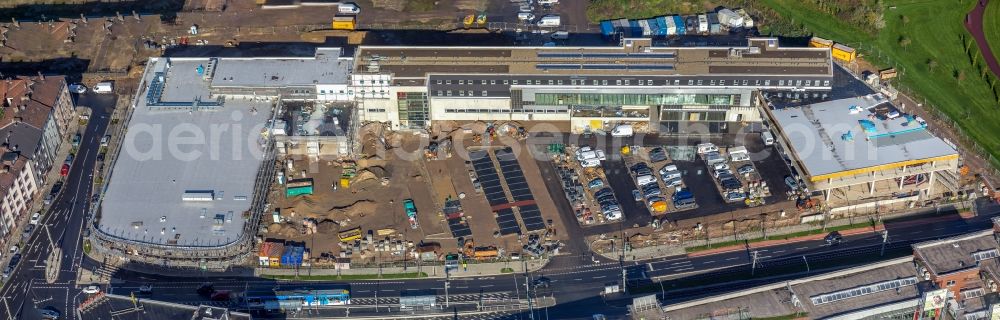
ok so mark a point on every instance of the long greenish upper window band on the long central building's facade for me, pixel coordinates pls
(634, 99)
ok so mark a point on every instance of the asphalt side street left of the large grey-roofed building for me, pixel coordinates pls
(26, 289)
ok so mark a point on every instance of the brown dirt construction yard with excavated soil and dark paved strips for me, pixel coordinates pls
(412, 197)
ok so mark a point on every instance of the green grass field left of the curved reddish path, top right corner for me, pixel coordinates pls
(927, 47)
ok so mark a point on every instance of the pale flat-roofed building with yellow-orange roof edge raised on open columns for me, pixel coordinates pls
(863, 149)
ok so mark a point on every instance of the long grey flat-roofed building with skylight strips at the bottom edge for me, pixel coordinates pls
(887, 290)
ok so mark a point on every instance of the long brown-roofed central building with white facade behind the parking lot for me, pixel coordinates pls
(670, 88)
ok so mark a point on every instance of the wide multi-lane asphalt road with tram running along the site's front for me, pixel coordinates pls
(576, 286)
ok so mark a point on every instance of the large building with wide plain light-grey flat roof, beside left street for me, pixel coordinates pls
(194, 165)
